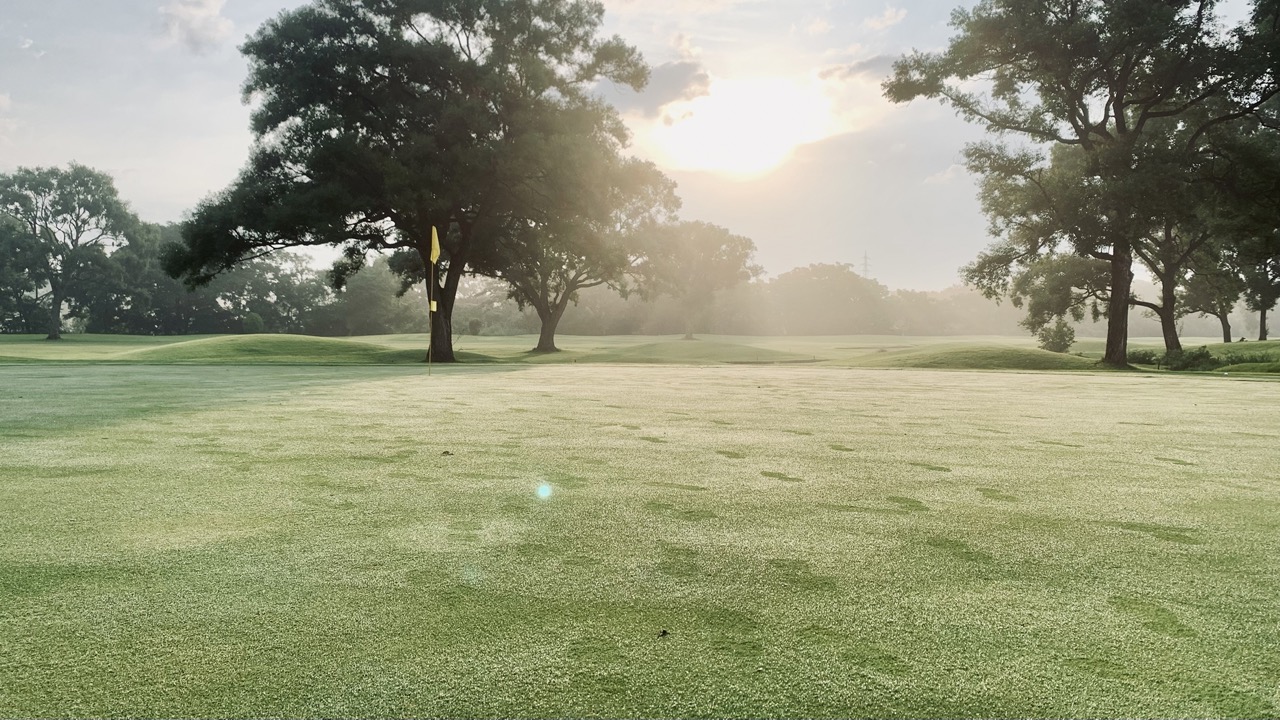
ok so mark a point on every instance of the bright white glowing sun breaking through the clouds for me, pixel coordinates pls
(742, 129)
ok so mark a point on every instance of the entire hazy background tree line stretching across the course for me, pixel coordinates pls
(696, 279)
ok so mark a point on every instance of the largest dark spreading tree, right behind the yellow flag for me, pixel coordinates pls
(380, 120)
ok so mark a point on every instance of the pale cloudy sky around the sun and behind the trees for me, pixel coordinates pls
(767, 113)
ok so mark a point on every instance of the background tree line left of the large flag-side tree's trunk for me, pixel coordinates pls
(74, 256)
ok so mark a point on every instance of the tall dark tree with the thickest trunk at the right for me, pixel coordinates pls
(1100, 76)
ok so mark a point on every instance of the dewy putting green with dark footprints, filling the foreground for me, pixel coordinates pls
(636, 541)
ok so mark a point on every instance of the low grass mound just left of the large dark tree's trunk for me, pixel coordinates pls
(272, 349)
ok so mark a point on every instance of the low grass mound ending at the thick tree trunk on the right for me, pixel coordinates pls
(977, 358)
